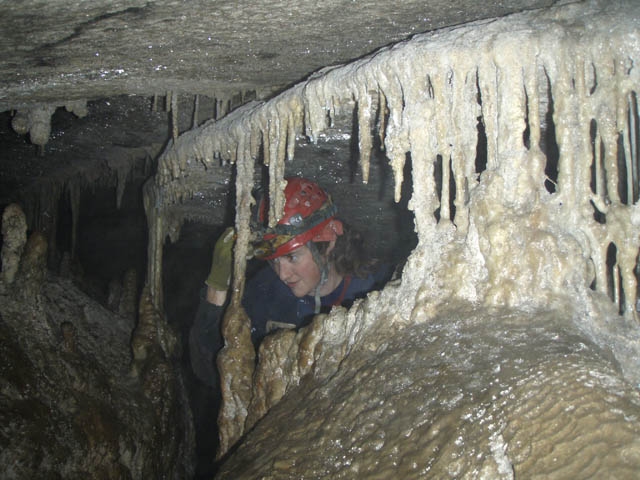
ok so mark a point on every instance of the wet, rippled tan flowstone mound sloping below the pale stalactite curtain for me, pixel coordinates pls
(470, 394)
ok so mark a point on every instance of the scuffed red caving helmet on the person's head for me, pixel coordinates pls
(309, 216)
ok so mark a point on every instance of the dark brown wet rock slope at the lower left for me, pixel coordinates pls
(70, 407)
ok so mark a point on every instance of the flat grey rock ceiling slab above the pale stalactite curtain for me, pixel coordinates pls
(53, 50)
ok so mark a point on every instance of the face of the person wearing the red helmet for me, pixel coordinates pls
(298, 271)
